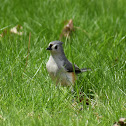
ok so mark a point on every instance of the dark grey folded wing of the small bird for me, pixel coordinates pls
(71, 67)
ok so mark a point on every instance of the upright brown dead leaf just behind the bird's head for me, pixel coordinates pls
(67, 30)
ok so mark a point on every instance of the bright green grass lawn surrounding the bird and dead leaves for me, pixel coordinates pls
(27, 94)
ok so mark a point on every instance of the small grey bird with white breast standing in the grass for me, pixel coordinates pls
(60, 69)
